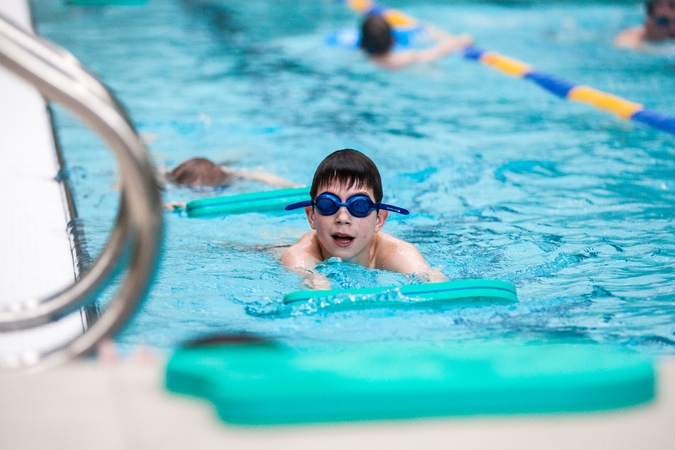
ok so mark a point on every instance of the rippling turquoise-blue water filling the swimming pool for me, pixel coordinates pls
(504, 181)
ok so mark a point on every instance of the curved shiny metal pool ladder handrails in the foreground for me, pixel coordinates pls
(135, 240)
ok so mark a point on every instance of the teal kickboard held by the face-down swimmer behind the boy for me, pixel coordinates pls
(265, 201)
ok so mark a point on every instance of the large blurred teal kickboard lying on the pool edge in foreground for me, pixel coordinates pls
(263, 384)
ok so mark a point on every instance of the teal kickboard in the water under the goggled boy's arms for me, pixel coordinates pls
(456, 292)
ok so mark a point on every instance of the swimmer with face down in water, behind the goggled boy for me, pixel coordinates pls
(202, 172)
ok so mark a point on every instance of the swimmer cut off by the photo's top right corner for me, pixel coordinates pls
(659, 25)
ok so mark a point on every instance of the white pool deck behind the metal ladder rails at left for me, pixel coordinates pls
(36, 258)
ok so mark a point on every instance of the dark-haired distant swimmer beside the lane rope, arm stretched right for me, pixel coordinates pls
(377, 41)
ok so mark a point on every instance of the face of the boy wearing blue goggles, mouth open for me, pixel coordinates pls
(341, 234)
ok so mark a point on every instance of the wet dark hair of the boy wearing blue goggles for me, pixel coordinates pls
(350, 168)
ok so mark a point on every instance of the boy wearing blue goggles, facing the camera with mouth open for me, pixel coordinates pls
(346, 217)
